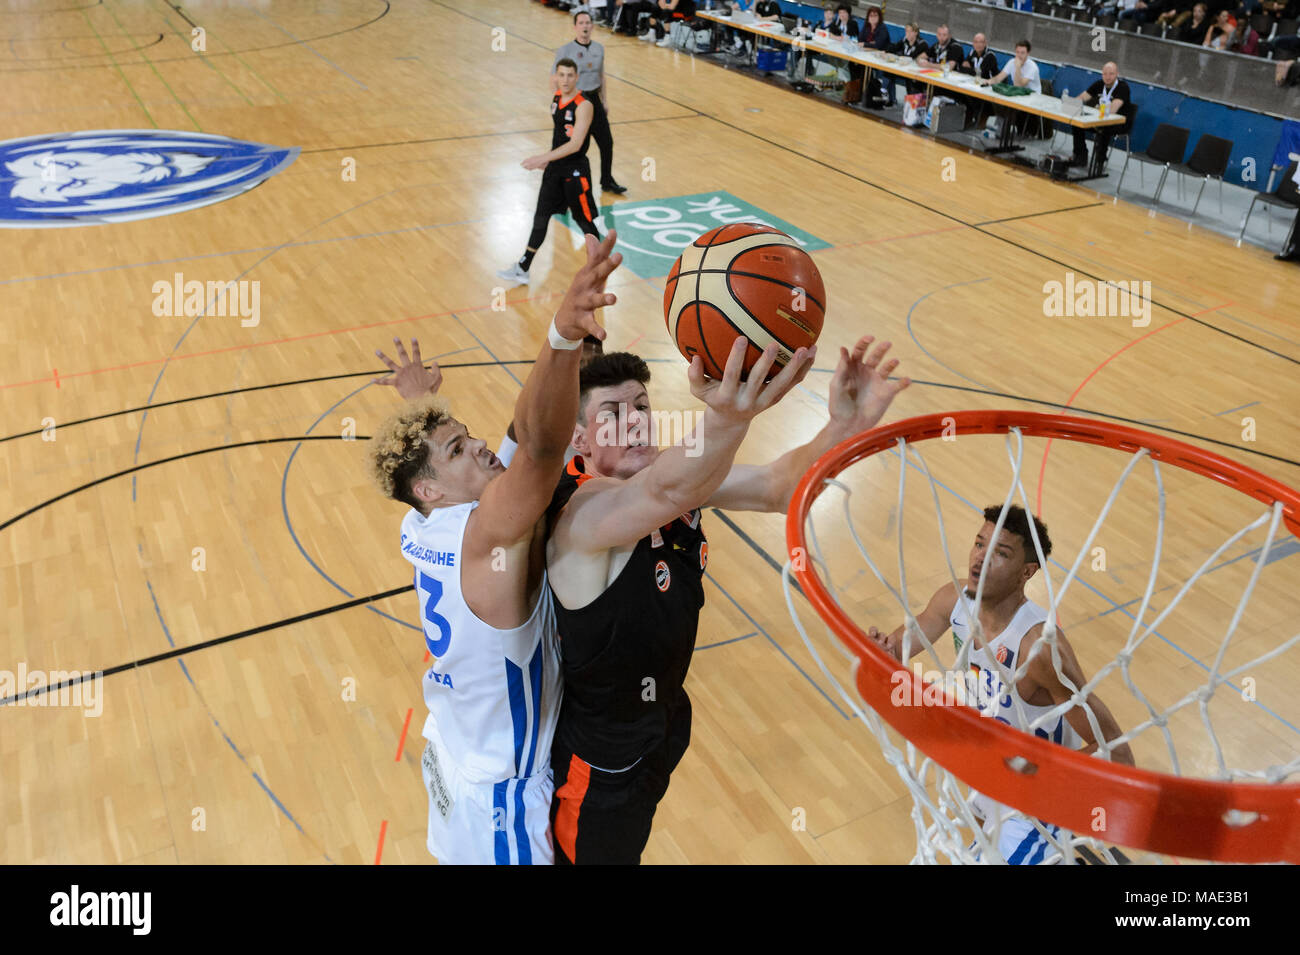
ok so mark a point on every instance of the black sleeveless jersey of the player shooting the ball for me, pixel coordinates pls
(627, 653)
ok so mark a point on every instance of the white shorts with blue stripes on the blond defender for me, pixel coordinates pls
(506, 823)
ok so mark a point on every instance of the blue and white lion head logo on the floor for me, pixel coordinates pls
(119, 176)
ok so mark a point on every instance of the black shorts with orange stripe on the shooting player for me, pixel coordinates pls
(601, 818)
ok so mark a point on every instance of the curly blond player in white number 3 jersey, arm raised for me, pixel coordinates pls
(476, 539)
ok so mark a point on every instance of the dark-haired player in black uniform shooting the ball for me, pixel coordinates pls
(626, 562)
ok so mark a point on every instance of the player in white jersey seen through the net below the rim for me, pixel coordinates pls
(1011, 626)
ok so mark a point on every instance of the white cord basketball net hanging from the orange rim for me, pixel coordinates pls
(944, 809)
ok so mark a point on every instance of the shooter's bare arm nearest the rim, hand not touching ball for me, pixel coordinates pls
(861, 393)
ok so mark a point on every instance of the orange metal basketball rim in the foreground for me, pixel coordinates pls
(1201, 819)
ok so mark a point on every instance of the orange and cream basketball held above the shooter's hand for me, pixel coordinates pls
(744, 280)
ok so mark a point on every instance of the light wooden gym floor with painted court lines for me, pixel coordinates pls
(248, 750)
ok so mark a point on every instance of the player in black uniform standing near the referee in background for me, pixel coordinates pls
(567, 181)
